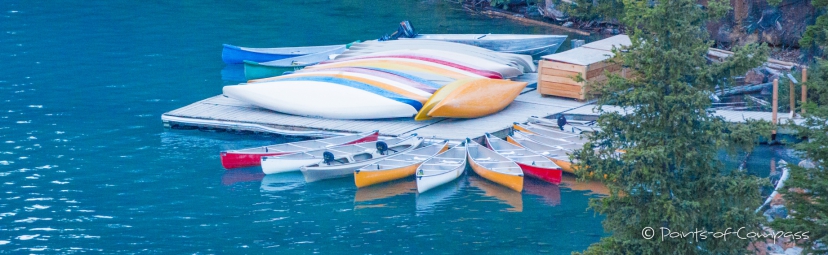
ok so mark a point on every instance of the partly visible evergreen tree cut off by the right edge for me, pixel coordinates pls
(805, 192)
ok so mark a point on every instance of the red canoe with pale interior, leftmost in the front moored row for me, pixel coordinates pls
(252, 156)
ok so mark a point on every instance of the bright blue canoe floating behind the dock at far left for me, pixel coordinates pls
(231, 54)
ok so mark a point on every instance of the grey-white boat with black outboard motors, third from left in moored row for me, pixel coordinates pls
(331, 169)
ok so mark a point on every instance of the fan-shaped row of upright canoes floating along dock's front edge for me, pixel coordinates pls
(532, 150)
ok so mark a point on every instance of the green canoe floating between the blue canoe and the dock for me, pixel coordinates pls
(258, 70)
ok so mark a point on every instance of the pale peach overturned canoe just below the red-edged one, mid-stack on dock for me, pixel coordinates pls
(455, 72)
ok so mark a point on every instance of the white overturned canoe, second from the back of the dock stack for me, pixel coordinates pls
(449, 58)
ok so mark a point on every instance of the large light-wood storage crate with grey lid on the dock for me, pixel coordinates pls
(556, 72)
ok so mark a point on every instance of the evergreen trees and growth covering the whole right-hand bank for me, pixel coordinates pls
(667, 175)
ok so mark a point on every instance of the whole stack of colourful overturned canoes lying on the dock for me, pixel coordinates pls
(447, 80)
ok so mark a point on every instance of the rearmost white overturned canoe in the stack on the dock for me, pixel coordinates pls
(525, 62)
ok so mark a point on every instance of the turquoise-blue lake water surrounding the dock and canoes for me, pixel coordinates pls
(85, 164)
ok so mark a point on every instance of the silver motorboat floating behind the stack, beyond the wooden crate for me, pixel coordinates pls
(507, 43)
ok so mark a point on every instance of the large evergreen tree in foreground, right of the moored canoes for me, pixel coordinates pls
(668, 176)
